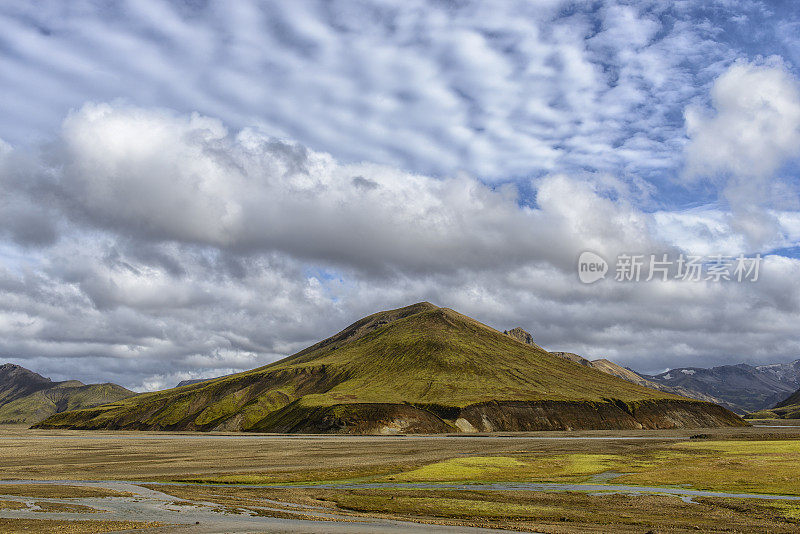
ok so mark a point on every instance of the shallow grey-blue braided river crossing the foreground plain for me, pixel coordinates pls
(205, 517)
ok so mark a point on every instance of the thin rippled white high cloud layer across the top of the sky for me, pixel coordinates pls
(496, 91)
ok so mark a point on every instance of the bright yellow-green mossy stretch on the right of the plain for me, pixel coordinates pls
(733, 466)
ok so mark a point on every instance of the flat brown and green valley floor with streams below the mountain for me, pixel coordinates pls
(716, 480)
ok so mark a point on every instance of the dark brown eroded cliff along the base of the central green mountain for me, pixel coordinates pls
(494, 416)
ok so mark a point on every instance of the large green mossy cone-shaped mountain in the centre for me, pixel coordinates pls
(415, 369)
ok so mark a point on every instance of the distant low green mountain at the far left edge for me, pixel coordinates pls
(27, 397)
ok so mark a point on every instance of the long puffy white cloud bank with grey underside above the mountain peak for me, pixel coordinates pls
(158, 176)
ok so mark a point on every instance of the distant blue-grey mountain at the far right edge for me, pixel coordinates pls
(741, 388)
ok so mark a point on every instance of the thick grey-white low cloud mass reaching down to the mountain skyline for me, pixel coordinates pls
(186, 249)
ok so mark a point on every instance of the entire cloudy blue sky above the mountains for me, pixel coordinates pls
(193, 188)
